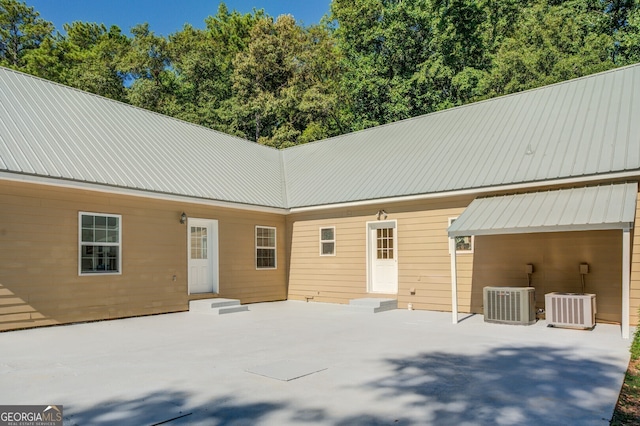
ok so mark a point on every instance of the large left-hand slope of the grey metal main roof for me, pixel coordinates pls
(51, 130)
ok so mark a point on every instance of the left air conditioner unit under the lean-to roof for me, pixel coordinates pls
(509, 305)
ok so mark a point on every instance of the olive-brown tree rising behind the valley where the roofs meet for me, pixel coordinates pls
(282, 84)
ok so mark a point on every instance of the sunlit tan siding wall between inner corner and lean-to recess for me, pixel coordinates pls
(423, 255)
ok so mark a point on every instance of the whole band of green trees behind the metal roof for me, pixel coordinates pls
(370, 62)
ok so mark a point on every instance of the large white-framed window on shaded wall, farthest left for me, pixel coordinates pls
(100, 248)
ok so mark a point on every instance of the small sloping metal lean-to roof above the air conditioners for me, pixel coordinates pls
(577, 209)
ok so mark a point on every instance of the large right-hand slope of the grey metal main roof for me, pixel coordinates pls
(577, 128)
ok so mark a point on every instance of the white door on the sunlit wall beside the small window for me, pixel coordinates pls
(383, 257)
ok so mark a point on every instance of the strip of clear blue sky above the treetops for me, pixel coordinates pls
(168, 16)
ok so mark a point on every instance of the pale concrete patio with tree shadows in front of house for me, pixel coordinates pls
(396, 367)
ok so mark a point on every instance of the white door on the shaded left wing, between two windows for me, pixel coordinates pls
(203, 255)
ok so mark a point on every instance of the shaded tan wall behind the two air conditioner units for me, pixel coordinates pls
(500, 261)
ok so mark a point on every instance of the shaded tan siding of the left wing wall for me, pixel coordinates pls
(39, 281)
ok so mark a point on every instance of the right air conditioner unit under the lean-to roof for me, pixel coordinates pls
(574, 310)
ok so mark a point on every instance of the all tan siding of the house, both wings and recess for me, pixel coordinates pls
(39, 282)
